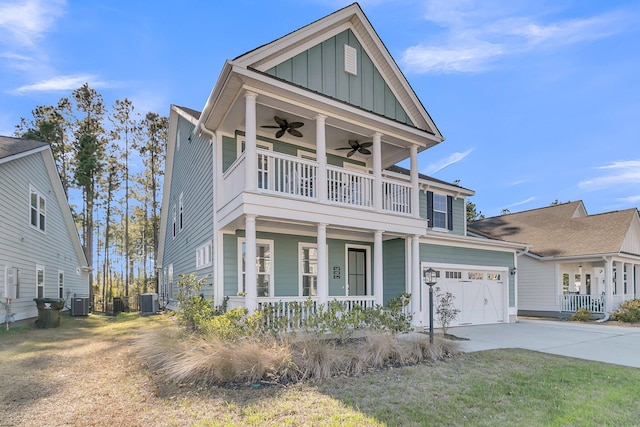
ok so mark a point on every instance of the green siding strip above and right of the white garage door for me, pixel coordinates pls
(439, 254)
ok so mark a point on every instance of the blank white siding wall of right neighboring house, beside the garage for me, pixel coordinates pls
(537, 285)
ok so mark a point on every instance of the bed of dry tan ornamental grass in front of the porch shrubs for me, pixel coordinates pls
(207, 360)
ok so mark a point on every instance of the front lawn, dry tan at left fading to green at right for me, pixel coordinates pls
(86, 373)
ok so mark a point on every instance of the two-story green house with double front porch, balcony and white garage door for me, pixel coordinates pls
(292, 164)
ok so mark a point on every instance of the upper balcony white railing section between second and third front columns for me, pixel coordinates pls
(349, 187)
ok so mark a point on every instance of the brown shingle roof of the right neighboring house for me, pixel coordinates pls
(563, 230)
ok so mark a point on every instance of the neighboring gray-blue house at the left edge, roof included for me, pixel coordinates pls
(40, 252)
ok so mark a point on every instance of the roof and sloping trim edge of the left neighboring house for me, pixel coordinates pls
(14, 148)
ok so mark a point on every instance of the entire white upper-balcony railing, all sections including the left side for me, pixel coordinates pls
(292, 176)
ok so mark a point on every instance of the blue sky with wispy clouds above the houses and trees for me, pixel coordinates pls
(538, 100)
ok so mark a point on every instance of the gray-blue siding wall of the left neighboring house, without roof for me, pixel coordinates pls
(24, 246)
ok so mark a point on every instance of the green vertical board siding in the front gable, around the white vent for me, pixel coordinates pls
(321, 69)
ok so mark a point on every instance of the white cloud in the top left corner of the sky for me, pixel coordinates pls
(24, 22)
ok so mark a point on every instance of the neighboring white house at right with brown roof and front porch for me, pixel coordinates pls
(575, 259)
